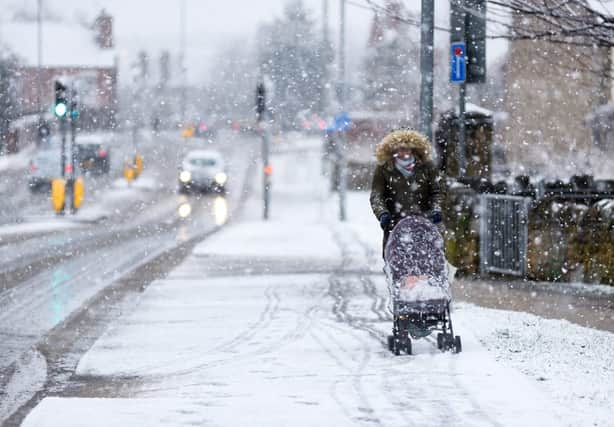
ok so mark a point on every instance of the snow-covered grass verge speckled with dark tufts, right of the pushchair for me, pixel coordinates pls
(572, 364)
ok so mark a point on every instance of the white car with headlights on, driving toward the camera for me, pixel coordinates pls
(202, 171)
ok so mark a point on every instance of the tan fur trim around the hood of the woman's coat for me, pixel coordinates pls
(411, 139)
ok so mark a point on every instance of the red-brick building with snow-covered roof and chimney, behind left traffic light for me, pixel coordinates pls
(82, 56)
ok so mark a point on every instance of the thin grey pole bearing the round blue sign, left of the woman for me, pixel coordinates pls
(341, 136)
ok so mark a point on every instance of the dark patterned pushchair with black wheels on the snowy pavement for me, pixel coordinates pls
(417, 275)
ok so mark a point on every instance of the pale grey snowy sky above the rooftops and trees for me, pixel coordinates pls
(154, 25)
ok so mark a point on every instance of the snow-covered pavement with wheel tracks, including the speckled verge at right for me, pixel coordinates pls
(284, 323)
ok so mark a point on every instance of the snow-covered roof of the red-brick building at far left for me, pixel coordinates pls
(64, 45)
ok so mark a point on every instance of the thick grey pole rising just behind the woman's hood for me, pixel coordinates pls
(426, 68)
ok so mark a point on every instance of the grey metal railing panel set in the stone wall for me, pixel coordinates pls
(503, 234)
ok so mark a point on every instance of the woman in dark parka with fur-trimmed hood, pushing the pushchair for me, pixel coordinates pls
(405, 181)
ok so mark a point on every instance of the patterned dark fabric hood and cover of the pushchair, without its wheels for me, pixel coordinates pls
(416, 266)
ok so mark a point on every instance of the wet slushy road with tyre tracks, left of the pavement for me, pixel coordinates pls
(52, 268)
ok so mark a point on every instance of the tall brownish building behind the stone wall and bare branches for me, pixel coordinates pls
(550, 90)
